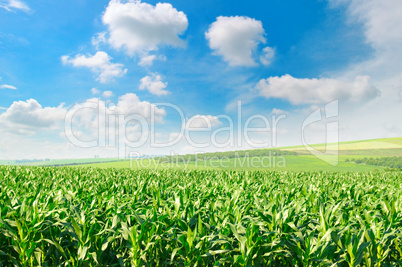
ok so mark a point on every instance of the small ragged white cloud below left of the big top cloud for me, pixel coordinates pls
(99, 64)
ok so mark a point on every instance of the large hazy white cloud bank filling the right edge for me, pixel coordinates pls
(380, 23)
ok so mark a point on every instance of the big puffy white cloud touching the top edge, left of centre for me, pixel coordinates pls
(140, 27)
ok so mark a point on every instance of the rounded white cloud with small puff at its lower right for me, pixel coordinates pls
(236, 39)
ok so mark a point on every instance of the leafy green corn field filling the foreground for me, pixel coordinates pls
(108, 217)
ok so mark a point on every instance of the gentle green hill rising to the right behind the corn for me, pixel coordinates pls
(364, 155)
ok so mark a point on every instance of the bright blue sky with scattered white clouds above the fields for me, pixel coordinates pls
(208, 55)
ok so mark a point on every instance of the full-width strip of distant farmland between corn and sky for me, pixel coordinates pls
(259, 159)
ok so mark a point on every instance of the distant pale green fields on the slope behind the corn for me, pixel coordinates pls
(304, 161)
